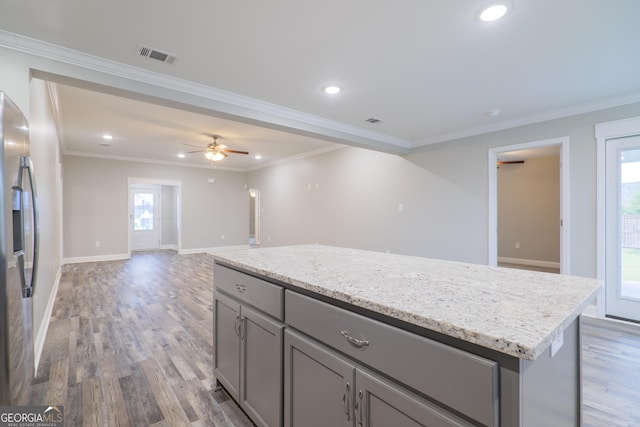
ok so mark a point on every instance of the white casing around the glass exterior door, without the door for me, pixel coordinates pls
(603, 132)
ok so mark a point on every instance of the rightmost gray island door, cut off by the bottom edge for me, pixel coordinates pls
(380, 403)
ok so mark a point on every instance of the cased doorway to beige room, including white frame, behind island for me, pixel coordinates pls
(528, 228)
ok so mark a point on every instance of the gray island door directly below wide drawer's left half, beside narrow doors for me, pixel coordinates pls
(318, 389)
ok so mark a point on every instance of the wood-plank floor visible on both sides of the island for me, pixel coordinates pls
(130, 344)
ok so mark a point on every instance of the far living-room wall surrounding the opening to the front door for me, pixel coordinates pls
(96, 206)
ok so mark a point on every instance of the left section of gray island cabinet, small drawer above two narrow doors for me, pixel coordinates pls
(248, 347)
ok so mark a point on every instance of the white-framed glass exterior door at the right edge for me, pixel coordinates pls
(622, 216)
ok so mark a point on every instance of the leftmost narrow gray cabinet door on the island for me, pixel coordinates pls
(226, 328)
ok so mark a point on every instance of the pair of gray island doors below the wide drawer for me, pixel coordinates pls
(324, 389)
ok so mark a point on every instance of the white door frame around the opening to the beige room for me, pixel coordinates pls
(563, 143)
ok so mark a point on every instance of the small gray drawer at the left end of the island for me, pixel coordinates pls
(263, 295)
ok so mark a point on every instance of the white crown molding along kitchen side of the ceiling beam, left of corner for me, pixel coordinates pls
(240, 106)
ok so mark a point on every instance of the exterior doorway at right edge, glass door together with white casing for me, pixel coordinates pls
(619, 219)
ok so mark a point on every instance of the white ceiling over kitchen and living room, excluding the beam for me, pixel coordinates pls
(429, 69)
